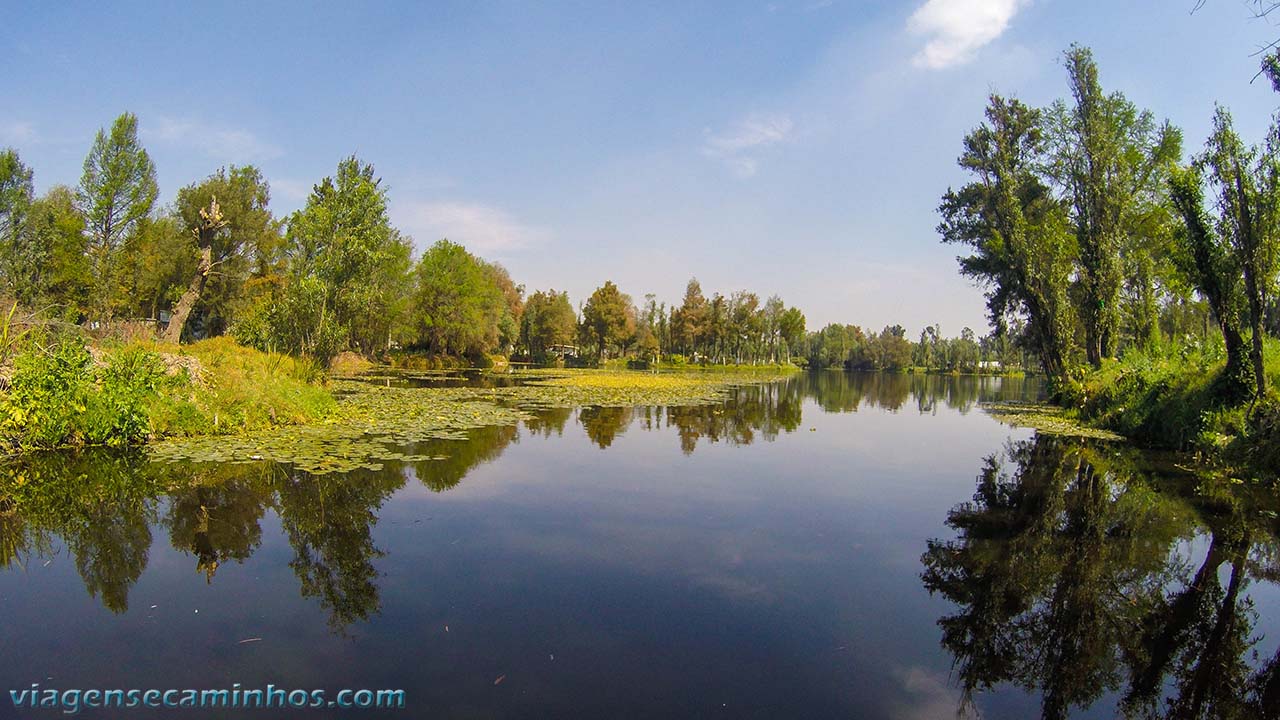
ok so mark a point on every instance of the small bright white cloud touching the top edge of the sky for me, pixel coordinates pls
(958, 29)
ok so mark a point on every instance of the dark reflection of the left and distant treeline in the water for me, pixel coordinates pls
(103, 507)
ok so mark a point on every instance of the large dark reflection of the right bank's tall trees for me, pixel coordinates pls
(1076, 576)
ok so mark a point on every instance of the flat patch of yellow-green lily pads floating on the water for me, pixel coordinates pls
(373, 423)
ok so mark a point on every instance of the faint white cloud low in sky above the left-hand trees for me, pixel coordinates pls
(479, 227)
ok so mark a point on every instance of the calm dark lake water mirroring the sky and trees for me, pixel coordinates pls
(831, 546)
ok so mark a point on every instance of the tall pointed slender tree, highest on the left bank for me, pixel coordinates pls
(117, 192)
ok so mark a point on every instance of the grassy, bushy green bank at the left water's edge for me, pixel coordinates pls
(62, 393)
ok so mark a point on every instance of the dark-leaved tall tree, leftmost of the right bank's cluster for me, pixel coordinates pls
(1017, 229)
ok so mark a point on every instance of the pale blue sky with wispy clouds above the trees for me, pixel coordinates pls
(797, 148)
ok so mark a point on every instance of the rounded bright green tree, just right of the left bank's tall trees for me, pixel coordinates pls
(458, 306)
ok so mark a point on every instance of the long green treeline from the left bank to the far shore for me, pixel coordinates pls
(339, 276)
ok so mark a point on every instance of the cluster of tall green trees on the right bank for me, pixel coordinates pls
(1095, 239)
